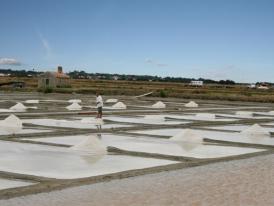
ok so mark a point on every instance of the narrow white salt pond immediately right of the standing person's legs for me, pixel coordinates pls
(143, 120)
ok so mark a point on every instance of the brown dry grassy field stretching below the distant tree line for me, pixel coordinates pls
(159, 89)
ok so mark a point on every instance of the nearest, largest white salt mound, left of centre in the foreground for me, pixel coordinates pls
(91, 145)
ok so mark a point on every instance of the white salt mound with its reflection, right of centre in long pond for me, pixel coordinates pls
(187, 139)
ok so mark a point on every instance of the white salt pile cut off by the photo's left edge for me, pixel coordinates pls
(11, 124)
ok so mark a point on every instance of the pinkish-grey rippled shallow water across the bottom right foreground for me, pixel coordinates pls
(241, 182)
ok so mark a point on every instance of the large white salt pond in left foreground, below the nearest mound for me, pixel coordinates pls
(62, 163)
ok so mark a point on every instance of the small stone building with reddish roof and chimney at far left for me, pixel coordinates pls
(54, 79)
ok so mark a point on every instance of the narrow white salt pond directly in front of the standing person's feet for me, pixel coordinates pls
(70, 124)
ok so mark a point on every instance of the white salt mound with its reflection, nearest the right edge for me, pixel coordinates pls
(255, 132)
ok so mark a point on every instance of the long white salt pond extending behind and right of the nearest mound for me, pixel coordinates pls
(154, 145)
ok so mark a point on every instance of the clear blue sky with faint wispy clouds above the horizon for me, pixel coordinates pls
(216, 39)
